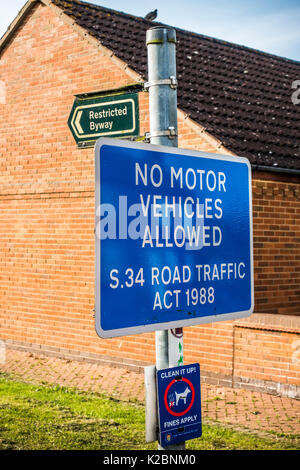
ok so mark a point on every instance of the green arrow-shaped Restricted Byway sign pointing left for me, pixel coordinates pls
(111, 116)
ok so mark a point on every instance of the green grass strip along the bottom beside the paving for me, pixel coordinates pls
(49, 417)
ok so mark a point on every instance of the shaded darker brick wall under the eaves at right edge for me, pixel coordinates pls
(276, 223)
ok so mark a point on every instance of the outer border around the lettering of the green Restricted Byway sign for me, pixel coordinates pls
(104, 97)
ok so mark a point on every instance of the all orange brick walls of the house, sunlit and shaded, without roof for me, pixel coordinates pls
(47, 224)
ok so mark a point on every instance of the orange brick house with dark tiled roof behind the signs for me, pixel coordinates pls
(231, 100)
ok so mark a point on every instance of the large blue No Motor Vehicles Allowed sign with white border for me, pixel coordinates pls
(173, 238)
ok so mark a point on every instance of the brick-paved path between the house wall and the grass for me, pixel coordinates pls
(259, 412)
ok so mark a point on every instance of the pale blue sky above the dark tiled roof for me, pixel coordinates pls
(268, 25)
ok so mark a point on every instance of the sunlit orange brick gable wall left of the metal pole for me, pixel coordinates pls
(47, 189)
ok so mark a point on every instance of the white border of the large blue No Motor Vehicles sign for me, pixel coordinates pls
(178, 323)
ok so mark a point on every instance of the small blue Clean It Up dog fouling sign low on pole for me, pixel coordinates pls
(179, 404)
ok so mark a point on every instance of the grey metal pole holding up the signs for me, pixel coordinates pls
(162, 86)
